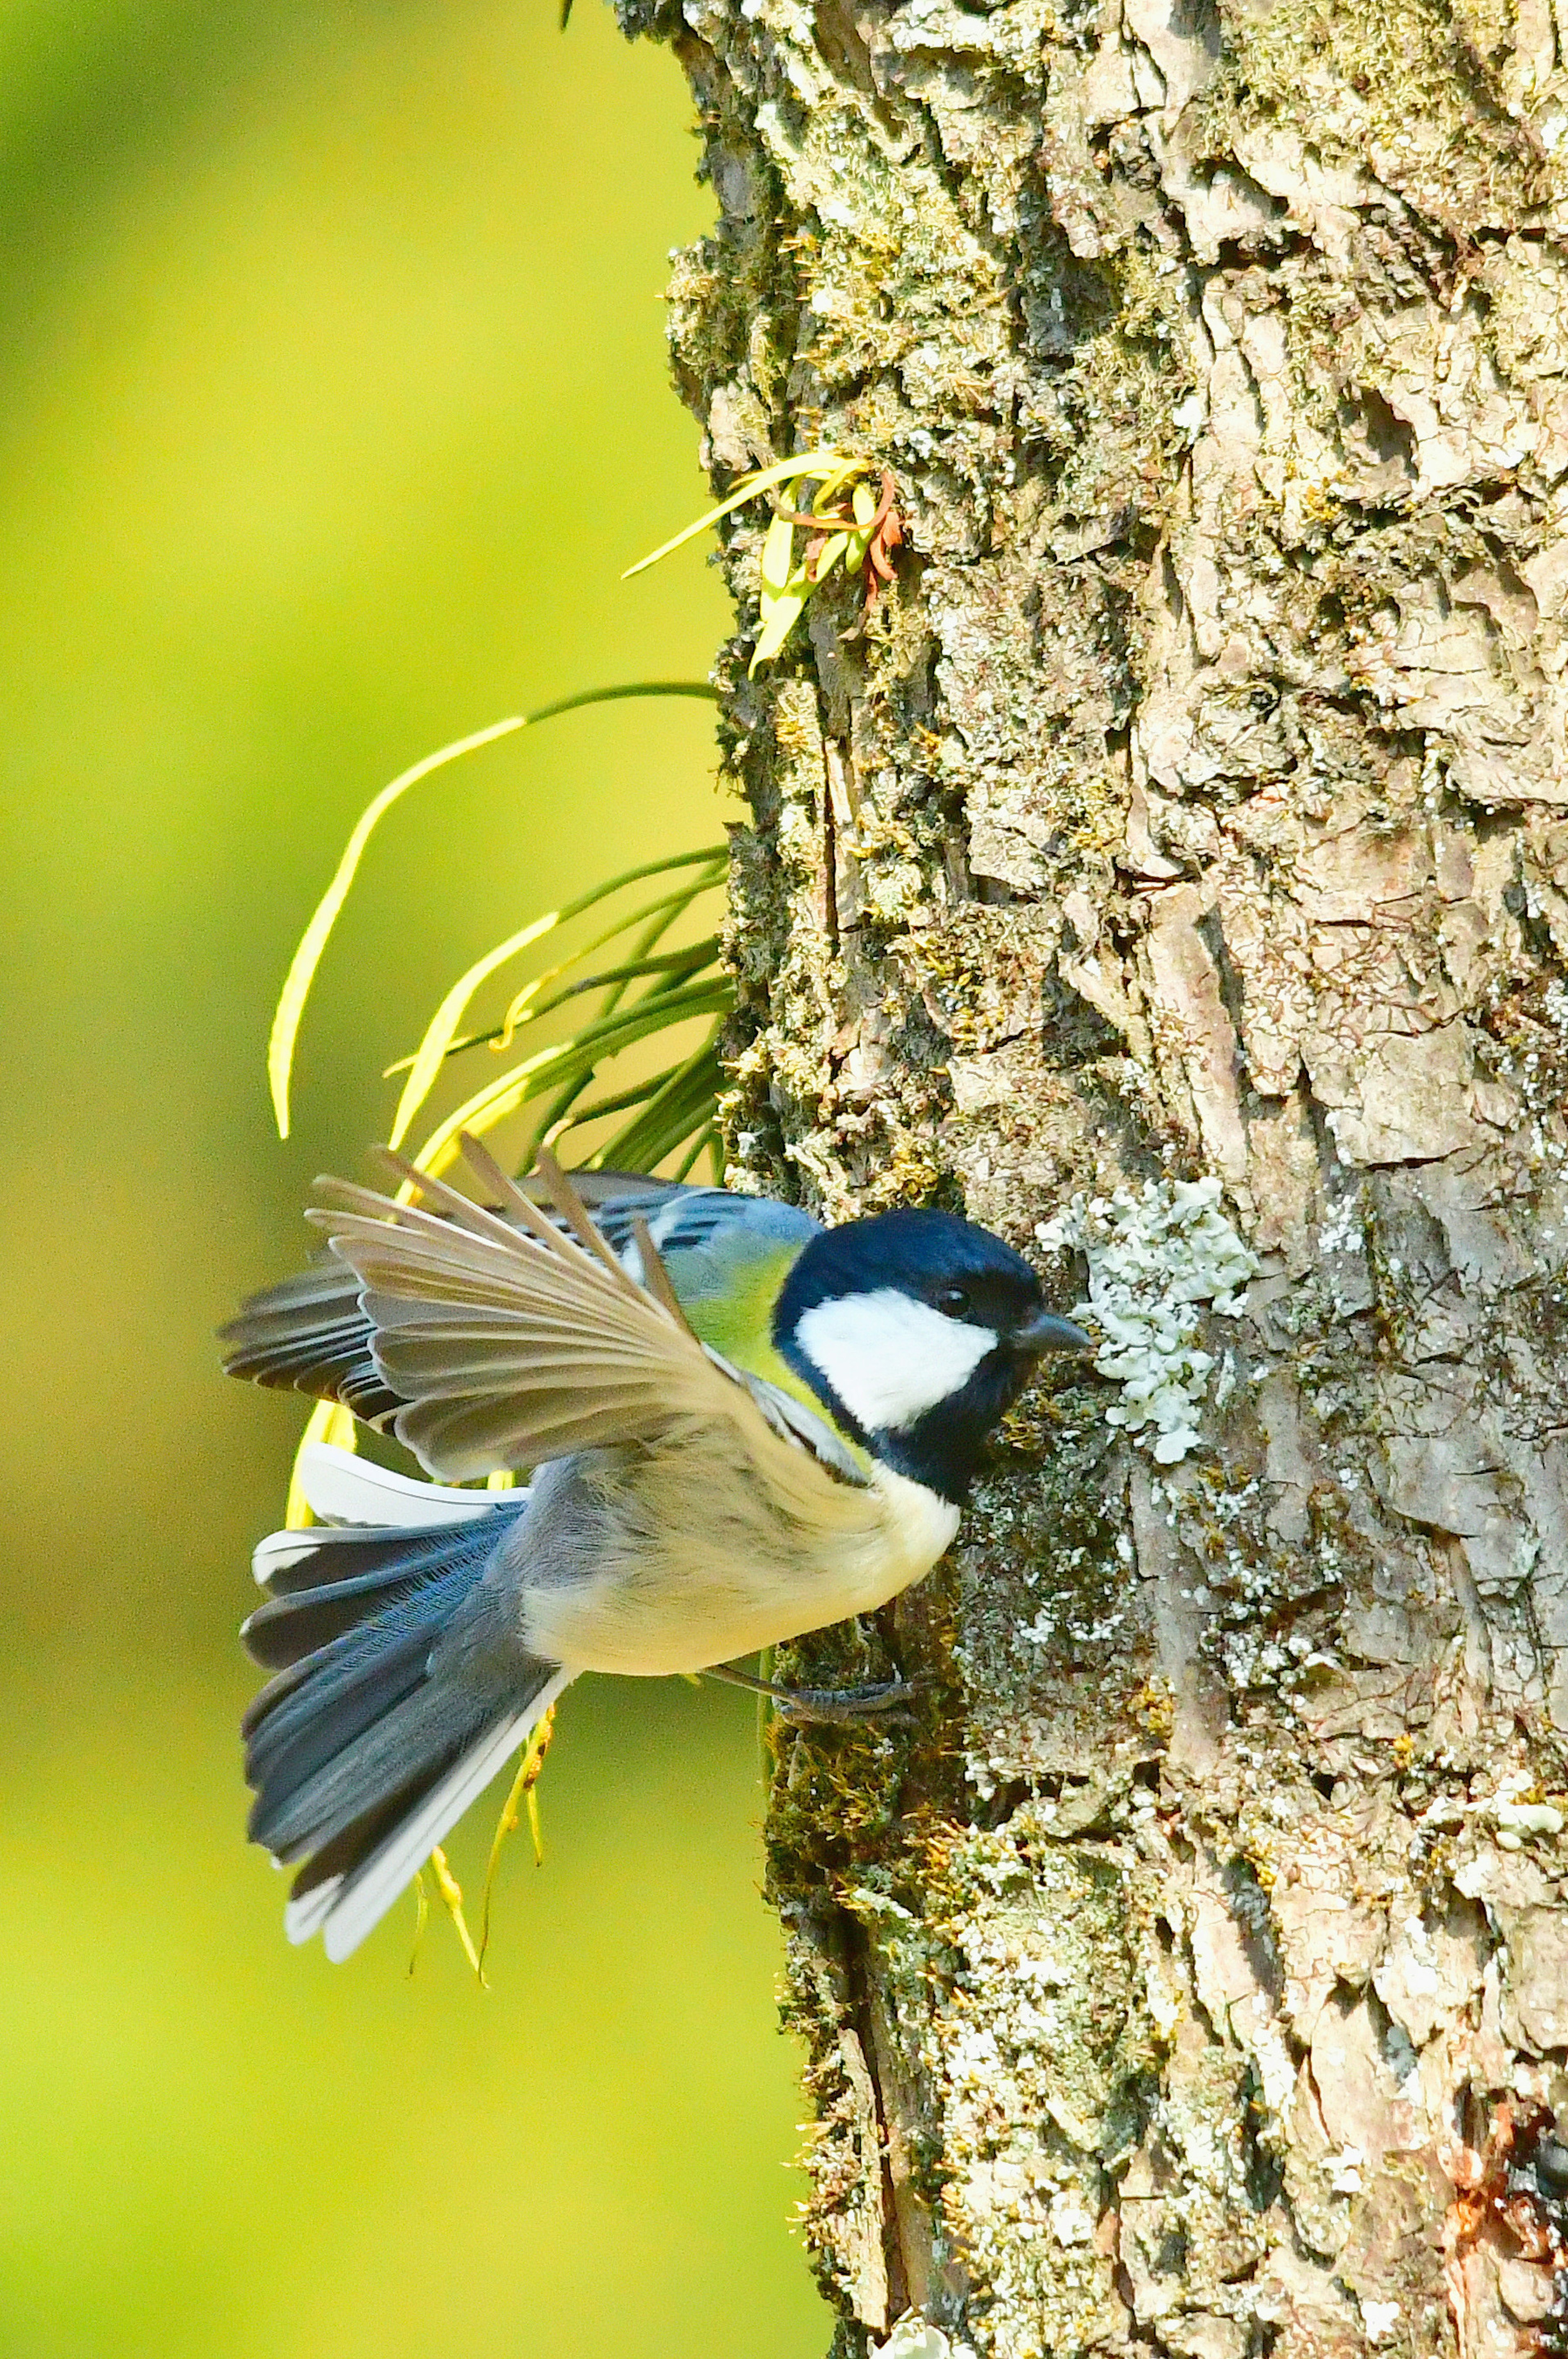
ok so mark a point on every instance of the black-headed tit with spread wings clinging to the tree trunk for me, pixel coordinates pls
(739, 1426)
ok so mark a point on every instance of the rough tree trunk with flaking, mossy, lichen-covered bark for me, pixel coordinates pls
(1194, 1976)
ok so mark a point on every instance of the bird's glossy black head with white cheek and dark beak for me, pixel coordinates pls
(918, 1332)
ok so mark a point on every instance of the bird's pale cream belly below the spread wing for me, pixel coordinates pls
(676, 1591)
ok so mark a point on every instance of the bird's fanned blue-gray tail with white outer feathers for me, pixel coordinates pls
(378, 1730)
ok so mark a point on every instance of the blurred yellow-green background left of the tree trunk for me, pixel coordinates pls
(334, 402)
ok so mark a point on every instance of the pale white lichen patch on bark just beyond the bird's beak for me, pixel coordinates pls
(1157, 1263)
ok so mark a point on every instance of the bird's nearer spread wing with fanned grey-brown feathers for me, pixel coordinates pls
(513, 1341)
